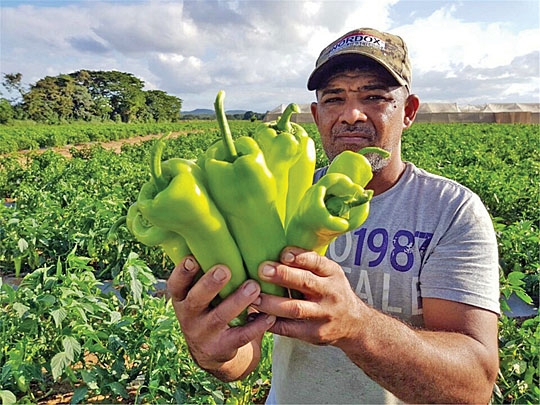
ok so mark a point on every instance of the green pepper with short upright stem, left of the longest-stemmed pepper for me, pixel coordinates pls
(176, 199)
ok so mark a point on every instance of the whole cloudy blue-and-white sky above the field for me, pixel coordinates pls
(261, 52)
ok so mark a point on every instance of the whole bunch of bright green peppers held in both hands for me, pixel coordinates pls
(244, 200)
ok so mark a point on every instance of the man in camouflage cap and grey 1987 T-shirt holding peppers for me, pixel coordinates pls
(404, 308)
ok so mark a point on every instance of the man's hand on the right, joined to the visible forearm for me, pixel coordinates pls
(330, 307)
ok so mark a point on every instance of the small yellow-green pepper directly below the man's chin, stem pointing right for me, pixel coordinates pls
(356, 165)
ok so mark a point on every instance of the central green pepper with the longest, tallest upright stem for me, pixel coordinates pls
(244, 189)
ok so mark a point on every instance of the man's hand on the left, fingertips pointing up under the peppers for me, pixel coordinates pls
(230, 353)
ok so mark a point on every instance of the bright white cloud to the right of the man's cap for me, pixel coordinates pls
(455, 60)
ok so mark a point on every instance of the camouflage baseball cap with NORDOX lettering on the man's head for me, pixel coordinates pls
(387, 49)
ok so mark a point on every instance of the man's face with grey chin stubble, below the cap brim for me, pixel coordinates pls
(361, 108)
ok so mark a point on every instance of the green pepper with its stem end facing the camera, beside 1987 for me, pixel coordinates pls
(332, 206)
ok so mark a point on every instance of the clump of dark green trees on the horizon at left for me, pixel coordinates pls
(87, 96)
